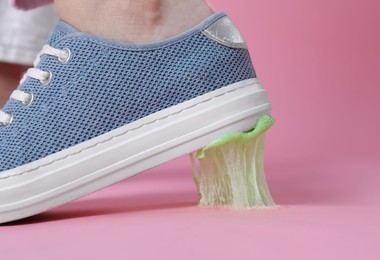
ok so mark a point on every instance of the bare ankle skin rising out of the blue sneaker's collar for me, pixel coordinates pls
(133, 21)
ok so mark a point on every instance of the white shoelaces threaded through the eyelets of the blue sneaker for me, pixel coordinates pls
(43, 76)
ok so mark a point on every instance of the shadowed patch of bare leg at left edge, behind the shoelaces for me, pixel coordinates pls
(10, 75)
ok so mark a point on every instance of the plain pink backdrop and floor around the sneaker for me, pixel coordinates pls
(319, 61)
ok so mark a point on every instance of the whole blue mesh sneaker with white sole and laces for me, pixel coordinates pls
(93, 112)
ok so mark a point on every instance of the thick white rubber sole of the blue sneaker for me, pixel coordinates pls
(129, 150)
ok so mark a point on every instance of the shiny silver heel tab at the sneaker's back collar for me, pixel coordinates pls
(225, 32)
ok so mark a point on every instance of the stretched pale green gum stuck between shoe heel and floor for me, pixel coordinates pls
(232, 172)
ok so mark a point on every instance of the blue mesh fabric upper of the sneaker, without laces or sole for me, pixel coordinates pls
(107, 85)
